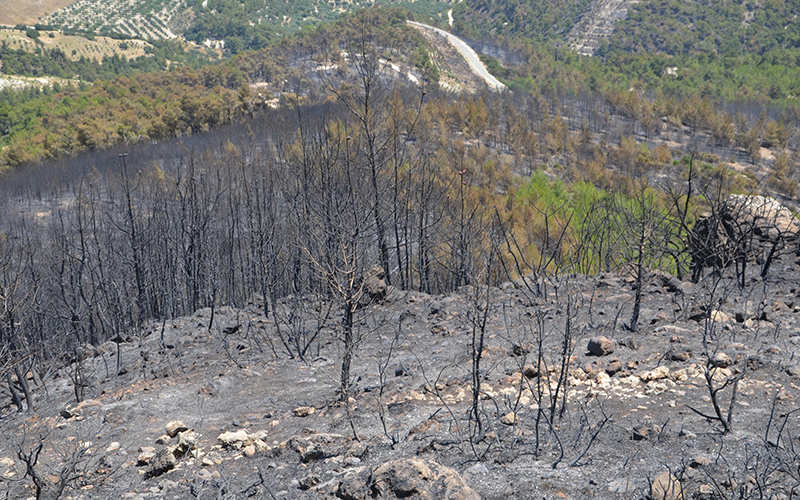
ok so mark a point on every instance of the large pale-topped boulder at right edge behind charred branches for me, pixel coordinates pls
(740, 229)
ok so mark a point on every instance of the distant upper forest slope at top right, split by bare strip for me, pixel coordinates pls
(668, 27)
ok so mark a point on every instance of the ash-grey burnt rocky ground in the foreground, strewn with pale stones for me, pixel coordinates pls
(182, 410)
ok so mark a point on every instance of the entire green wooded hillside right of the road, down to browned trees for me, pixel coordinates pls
(727, 51)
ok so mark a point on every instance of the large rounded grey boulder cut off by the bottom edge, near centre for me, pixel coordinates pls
(410, 478)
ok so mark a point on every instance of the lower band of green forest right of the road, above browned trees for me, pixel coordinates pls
(743, 78)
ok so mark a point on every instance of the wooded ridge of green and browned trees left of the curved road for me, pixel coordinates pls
(60, 120)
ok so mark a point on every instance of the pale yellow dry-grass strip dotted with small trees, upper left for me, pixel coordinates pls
(100, 47)
